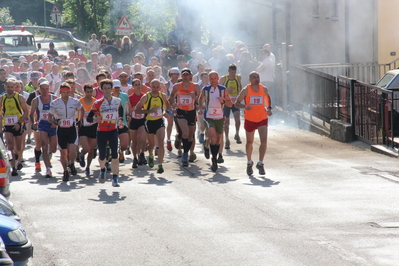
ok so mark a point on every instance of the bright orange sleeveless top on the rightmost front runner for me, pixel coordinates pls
(258, 101)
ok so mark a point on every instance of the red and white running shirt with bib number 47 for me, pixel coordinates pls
(109, 113)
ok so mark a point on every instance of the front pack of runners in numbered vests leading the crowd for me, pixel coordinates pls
(114, 118)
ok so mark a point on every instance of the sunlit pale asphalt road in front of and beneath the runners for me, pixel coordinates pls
(321, 202)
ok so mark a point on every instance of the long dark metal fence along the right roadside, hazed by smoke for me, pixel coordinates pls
(372, 111)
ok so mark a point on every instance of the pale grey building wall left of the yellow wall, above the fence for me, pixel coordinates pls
(319, 37)
